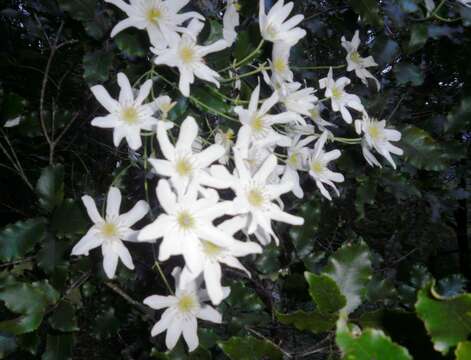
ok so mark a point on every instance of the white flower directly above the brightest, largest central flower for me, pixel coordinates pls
(182, 164)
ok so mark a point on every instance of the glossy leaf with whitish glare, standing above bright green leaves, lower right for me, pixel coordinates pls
(350, 267)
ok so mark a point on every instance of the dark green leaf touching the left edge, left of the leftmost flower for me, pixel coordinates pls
(17, 239)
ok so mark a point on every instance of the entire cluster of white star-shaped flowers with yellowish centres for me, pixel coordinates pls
(221, 202)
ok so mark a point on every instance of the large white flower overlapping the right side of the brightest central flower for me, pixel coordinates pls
(255, 196)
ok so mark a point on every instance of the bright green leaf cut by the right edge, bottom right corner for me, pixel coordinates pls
(448, 321)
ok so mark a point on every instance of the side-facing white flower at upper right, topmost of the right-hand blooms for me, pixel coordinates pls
(357, 63)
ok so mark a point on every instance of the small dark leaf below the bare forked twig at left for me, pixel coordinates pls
(50, 187)
